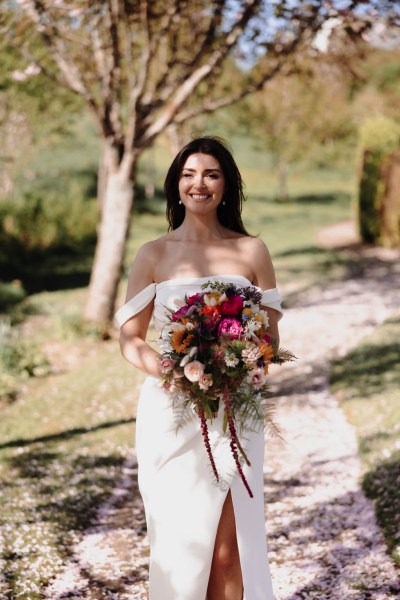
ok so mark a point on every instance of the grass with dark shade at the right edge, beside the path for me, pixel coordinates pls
(367, 384)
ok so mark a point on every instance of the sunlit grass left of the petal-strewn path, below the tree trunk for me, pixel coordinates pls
(62, 446)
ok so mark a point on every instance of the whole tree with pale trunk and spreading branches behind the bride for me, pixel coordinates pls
(142, 65)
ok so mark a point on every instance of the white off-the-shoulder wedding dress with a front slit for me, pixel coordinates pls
(182, 500)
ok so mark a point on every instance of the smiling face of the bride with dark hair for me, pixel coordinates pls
(201, 183)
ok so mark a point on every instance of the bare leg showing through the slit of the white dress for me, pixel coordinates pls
(226, 581)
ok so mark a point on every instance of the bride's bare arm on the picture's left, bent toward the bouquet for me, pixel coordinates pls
(134, 347)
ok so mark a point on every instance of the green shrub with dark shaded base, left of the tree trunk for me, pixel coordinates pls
(41, 232)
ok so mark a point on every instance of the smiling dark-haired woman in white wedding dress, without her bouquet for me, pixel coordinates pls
(206, 541)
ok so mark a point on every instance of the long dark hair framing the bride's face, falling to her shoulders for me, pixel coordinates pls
(229, 214)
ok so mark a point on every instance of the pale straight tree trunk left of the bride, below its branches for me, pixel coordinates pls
(110, 249)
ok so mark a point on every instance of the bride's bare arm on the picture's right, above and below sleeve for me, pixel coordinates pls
(264, 277)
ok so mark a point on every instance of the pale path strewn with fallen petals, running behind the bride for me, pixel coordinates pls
(323, 538)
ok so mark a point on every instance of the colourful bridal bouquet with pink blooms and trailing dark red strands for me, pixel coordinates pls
(216, 349)
